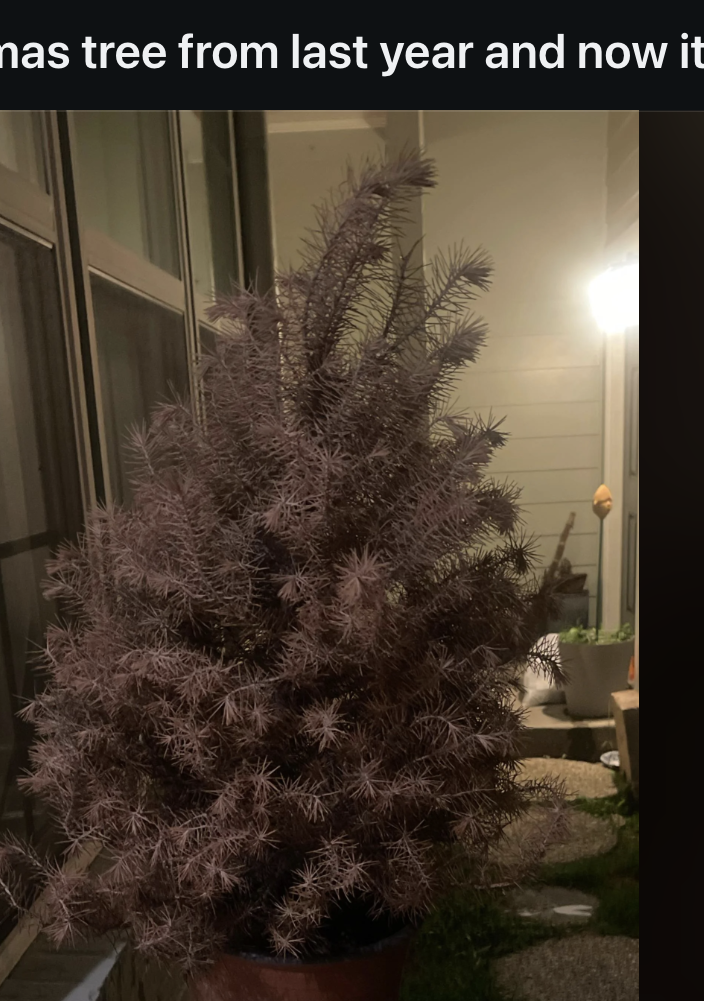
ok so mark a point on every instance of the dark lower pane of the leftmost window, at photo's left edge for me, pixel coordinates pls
(40, 493)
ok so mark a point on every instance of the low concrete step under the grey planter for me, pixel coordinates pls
(552, 733)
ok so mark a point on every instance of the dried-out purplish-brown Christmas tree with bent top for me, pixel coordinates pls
(288, 678)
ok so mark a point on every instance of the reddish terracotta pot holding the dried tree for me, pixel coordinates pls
(373, 973)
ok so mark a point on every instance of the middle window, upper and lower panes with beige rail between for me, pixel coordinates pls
(133, 241)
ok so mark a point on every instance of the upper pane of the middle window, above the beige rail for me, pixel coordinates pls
(127, 184)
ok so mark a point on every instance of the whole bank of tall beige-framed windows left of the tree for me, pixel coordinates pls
(117, 229)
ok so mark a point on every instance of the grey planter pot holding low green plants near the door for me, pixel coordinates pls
(594, 671)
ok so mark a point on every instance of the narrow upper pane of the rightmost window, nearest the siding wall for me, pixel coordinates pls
(211, 202)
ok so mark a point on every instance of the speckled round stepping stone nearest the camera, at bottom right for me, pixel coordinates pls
(577, 968)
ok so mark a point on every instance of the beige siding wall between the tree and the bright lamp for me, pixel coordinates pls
(530, 188)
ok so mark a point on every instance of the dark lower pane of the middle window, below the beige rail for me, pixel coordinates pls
(143, 359)
